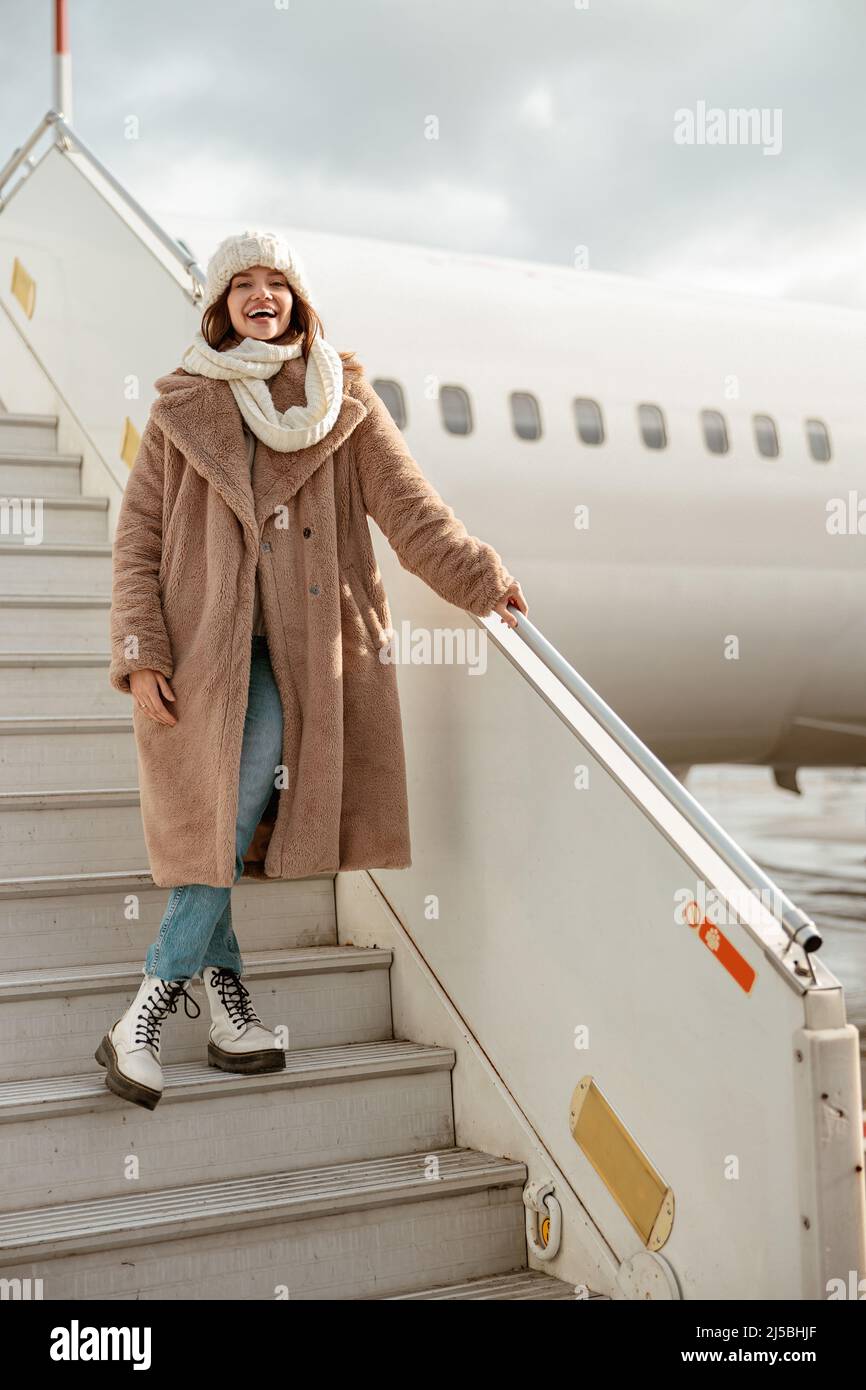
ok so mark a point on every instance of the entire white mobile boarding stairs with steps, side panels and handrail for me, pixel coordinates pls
(583, 1049)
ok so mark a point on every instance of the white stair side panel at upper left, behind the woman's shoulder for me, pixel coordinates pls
(98, 363)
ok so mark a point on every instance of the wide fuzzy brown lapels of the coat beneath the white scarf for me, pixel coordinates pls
(201, 418)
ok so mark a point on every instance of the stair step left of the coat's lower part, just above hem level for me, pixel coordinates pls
(72, 832)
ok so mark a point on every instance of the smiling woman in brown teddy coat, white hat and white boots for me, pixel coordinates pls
(286, 743)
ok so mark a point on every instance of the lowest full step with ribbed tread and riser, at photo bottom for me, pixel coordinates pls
(343, 1232)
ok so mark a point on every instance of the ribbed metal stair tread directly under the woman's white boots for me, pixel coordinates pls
(390, 1054)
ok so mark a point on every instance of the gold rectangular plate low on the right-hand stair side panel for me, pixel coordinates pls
(621, 1163)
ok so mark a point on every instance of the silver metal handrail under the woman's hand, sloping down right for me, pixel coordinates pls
(799, 926)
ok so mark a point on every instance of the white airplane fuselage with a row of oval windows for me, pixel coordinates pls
(673, 476)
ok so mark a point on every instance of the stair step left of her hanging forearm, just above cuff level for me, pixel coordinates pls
(34, 622)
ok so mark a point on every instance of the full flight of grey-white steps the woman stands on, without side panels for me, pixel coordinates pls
(307, 1184)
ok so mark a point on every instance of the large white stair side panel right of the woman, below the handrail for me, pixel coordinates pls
(547, 911)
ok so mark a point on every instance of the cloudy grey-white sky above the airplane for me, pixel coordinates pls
(555, 126)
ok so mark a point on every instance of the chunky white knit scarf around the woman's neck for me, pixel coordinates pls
(247, 369)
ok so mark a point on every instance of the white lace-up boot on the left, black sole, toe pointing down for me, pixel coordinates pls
(131, 1049)
